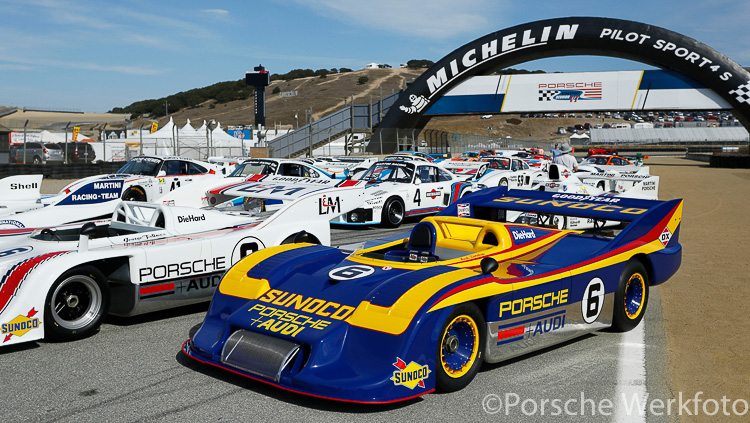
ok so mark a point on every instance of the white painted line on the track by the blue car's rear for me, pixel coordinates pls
(630, 404)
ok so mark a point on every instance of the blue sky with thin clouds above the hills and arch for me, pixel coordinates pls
(95, 55)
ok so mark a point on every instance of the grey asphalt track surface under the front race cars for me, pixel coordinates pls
(133, 371)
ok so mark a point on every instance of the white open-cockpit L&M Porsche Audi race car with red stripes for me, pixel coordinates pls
(60, 282)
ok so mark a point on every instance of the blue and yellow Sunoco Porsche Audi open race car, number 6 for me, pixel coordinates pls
(404, 317)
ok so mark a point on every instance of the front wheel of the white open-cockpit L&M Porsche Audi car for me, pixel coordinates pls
(76, 304)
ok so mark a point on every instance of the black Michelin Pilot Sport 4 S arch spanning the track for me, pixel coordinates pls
(565, 37)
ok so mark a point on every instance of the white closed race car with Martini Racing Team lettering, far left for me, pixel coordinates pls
(147, 178)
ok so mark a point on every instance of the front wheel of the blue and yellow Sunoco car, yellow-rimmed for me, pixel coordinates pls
(460, 348)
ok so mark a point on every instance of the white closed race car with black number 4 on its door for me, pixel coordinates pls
(399, 188)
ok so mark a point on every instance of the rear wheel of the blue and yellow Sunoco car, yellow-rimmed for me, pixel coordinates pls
(631, 297)
